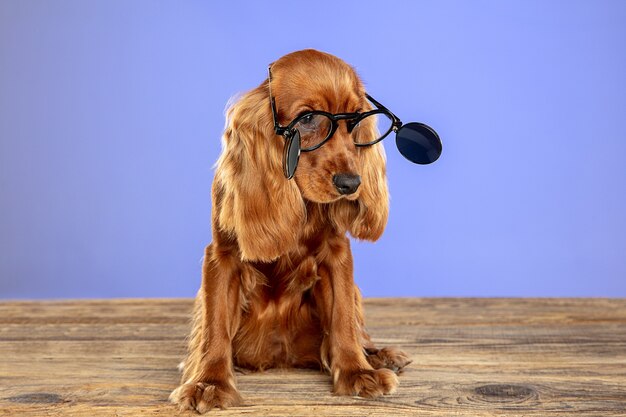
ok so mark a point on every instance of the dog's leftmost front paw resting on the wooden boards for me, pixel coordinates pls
(203, 396)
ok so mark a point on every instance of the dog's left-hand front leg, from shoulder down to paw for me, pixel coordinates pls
(208, 379)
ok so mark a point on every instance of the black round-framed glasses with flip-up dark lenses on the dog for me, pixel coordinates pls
(417, 142)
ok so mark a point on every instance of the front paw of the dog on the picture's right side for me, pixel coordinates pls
(369, 383)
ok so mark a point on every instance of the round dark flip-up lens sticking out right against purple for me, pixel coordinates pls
(418, 143)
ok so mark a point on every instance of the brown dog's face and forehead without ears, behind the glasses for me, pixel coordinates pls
(311, 80)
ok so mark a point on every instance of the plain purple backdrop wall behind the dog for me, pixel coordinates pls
(111, 114)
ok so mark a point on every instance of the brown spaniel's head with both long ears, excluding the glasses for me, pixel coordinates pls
(266, 211)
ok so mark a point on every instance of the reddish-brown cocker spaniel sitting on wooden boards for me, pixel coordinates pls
(277, 280)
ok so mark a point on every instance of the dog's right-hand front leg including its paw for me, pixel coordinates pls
(336, 296)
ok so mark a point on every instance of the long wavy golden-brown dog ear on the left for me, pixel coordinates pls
(259, 207)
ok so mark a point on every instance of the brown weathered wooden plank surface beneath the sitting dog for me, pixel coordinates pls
(472, 357)
